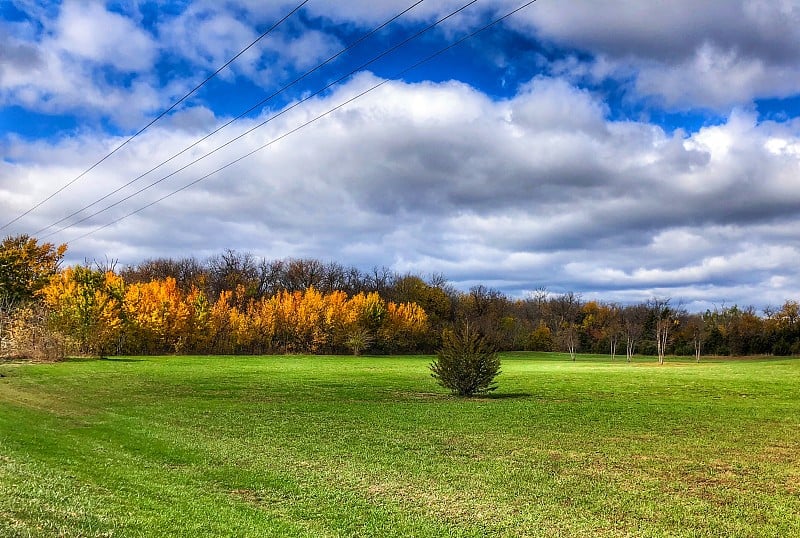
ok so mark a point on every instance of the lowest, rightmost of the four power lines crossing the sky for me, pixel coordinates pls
(313, 120)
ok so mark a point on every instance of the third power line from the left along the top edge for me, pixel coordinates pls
(271, 118)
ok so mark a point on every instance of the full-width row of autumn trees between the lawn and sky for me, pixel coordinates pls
(237, 303)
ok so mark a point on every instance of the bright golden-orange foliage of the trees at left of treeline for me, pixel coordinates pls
(99, 313)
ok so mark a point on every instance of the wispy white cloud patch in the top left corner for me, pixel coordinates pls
(66, 66)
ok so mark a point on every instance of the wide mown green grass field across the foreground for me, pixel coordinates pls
(343, 446)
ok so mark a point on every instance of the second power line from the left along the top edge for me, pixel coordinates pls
(240, 116)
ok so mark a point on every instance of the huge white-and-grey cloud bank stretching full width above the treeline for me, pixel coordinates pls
(541, 189)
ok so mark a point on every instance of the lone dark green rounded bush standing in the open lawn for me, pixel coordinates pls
(466, 363)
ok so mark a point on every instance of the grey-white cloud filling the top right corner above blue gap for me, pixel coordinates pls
(714, 54)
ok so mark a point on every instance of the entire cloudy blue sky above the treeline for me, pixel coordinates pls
(617, 149)
